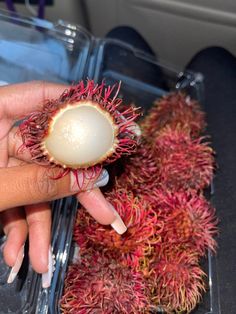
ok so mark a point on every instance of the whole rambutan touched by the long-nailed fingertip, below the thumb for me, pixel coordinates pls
(142, 223)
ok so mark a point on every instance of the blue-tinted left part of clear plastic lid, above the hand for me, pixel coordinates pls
(33, 49)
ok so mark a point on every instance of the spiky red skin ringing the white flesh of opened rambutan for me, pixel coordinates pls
(37, 125)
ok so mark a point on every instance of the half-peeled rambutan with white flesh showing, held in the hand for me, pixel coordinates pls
(82, 129)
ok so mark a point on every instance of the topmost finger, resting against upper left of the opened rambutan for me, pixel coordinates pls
(17, 100)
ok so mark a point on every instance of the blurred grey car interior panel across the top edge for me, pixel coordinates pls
(175, 29)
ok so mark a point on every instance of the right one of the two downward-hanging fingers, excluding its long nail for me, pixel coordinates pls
(39, 225)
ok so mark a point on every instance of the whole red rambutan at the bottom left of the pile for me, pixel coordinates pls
(98, 284)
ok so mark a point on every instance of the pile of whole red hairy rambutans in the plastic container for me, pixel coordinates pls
(159, 193)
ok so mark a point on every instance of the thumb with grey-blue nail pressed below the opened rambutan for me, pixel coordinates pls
(33, 184)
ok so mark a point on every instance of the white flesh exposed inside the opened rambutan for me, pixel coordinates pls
(80, 135)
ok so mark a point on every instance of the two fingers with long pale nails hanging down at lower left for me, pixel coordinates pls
(16, 228)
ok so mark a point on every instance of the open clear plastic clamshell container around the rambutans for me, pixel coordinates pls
(67, 53)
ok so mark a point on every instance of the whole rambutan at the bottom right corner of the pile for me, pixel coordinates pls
(177, 281)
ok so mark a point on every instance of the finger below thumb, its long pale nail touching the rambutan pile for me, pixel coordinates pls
(101, 210)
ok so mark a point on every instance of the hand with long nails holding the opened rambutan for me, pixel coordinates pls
(26, 188)
